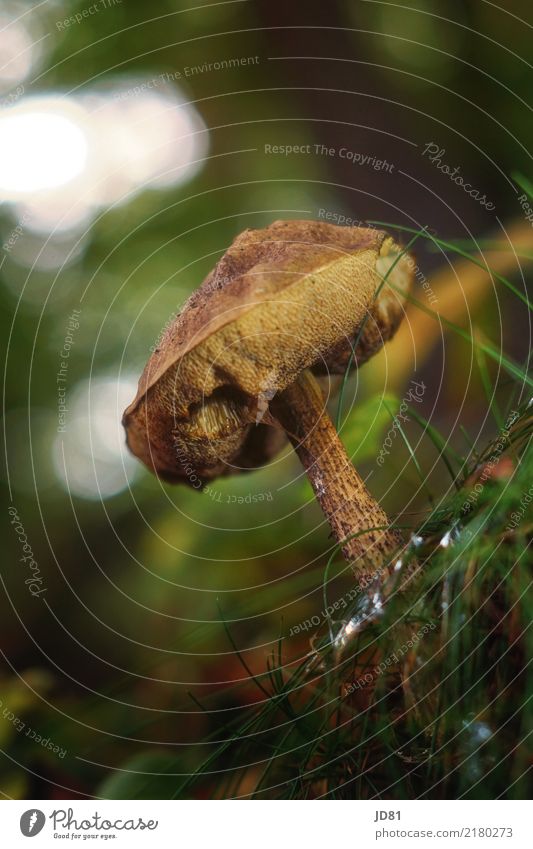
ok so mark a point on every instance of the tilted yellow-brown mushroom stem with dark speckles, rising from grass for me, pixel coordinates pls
(346, 502)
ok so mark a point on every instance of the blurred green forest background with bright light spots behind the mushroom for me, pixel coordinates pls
(133, 151)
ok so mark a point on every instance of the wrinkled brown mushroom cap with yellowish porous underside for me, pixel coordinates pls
(282, 299)
